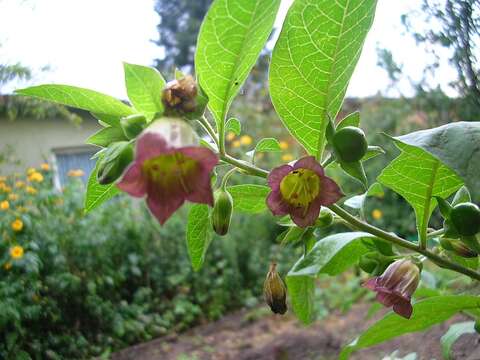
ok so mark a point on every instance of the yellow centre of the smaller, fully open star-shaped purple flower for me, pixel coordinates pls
(300, 187)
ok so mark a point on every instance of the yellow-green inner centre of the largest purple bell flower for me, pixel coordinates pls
(170, 170)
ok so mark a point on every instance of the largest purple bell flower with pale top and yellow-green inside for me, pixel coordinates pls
(169, 168)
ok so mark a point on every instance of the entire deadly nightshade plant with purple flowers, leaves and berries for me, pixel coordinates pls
(311, 65)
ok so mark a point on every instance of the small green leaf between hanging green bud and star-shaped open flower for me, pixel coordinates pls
(249, 198)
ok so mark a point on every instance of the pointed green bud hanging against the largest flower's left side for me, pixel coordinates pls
(114, 161)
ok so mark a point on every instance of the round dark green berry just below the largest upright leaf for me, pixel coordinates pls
(350, 144)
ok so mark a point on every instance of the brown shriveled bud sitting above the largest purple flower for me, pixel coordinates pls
(179, 96)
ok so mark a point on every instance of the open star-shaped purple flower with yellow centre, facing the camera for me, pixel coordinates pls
(300, 191)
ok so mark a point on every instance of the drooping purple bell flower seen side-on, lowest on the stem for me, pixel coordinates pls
(396, 286)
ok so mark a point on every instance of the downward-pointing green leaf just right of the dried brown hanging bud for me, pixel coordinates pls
(300, 291)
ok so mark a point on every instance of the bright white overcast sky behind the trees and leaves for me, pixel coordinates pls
(84, 42)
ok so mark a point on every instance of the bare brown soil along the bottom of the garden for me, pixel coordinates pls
(250, 335)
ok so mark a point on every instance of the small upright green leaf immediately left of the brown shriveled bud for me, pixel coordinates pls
(144, 88)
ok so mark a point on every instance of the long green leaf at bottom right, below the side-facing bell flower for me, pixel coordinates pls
(426, 313)
